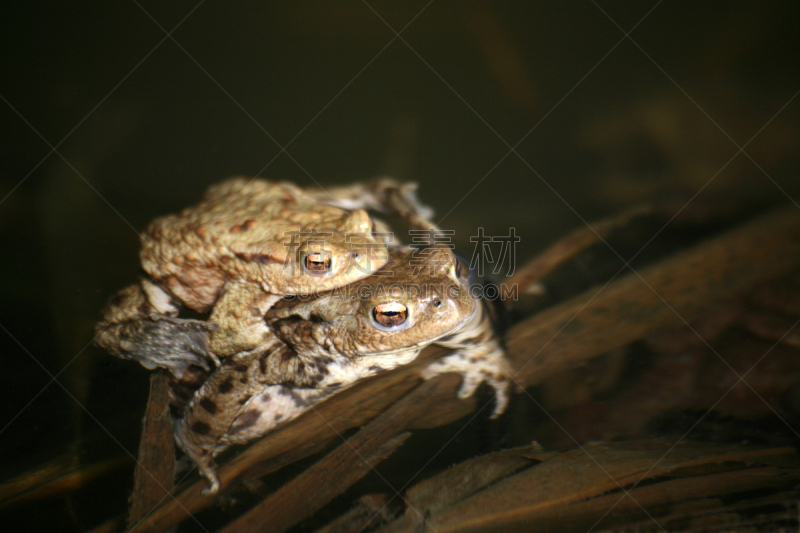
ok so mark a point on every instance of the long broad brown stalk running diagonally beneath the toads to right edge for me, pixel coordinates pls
(559, 338)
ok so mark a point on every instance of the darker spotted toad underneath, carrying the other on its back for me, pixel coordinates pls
(327, 342)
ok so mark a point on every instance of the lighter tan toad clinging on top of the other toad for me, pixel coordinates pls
(244, 246)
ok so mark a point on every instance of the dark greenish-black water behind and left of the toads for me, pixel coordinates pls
(109, 121)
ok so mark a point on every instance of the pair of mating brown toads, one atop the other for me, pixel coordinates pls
(305, 297)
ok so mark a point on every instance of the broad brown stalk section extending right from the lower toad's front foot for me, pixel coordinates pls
(676, 289)
